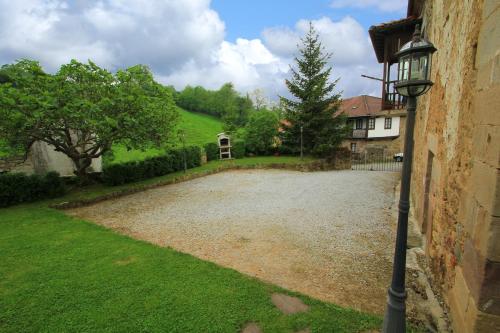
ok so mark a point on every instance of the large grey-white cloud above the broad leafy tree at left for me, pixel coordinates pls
(114, 33)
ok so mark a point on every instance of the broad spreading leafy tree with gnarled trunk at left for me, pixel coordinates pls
(83, 110)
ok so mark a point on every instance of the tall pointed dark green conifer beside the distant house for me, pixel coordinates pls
(316, 103)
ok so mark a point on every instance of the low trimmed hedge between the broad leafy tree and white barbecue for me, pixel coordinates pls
(172, 161)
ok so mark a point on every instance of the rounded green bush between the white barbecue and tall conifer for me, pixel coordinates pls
(261, 132)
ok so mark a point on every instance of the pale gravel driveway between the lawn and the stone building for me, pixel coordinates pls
(325, 234)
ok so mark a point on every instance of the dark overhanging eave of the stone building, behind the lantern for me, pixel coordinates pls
(402, 28)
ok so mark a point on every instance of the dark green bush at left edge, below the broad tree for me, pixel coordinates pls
(16, 188)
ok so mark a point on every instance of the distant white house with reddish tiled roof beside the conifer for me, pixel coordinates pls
(374, 128)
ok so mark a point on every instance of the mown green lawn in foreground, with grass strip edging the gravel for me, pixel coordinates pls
(59, 273)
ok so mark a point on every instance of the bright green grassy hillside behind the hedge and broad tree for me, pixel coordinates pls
(199, 128)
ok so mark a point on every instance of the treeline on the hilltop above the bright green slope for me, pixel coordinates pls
(225, 103)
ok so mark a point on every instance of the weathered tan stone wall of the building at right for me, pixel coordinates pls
(455, 182)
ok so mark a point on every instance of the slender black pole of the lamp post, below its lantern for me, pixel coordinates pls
(395, 313)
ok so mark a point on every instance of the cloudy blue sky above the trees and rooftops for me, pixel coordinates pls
(250, 43)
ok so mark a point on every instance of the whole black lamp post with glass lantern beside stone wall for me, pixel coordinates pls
(413, 80)
